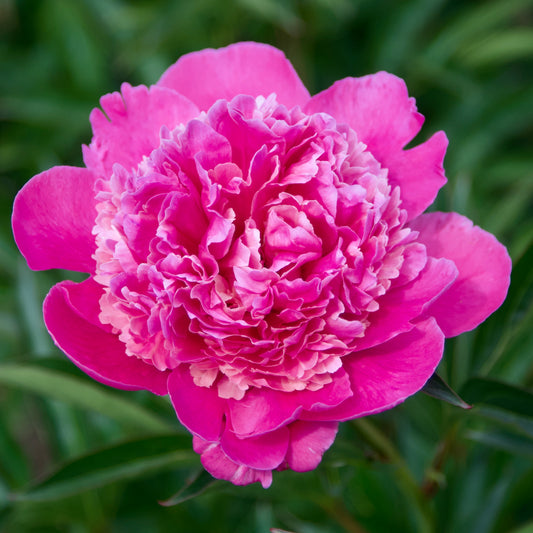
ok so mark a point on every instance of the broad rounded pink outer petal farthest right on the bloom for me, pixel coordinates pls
(484, 270)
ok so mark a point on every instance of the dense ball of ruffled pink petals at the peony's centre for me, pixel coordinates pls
(253, 245)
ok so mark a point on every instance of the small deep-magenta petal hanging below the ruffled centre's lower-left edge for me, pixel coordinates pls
(199, 409)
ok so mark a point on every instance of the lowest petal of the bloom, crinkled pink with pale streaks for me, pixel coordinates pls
(220, 466)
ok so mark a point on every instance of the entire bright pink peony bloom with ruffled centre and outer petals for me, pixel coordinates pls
(258, 254)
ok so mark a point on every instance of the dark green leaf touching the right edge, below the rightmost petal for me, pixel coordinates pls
(498, 394)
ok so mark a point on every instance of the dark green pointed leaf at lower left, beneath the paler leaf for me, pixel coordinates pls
(121, 462)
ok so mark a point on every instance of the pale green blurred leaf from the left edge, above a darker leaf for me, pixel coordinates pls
(77, 392)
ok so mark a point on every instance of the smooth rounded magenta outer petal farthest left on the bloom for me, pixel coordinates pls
(53, 217)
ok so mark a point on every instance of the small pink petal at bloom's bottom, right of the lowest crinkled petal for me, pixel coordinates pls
(309, 441)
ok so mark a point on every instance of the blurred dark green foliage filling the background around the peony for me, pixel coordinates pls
(424, 466)
